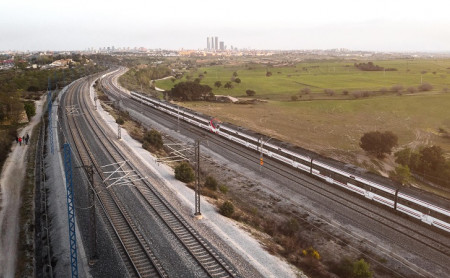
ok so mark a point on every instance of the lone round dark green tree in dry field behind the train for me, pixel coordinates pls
(378, 143)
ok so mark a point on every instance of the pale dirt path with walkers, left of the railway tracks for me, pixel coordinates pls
(11, 181)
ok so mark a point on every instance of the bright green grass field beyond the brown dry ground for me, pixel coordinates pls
(320, 75)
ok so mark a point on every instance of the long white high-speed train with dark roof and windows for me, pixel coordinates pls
(381, 192)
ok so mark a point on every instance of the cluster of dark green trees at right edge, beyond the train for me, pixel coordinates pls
(428, 162)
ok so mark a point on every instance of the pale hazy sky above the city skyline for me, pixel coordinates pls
(381, 25)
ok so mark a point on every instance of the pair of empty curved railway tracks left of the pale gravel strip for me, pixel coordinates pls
(145, 264)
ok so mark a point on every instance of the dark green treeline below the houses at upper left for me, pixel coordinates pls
(34, 80)
